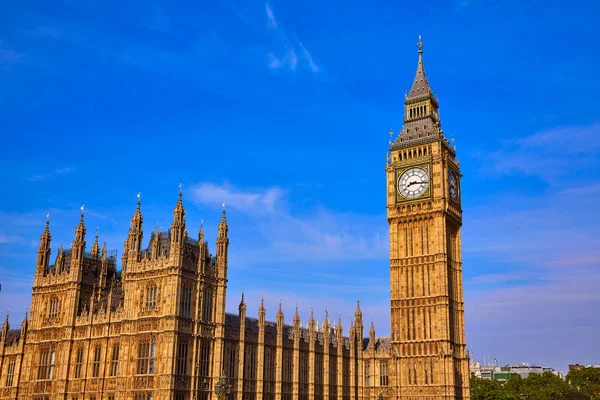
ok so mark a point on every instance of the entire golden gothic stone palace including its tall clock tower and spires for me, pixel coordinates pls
(158, 329)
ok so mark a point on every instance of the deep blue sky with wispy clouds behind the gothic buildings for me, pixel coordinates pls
(282, 110)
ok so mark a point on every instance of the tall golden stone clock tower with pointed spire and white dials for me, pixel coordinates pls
(425, 217)
